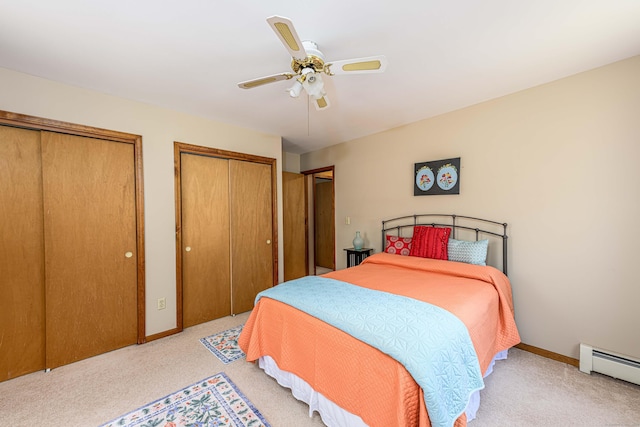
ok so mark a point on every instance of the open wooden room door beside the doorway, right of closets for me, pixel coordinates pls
(294, 223)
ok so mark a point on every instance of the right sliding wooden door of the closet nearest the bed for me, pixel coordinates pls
(251, 232)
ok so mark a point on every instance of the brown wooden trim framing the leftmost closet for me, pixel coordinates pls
(42, 124)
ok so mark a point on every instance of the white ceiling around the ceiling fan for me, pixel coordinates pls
(189, 55)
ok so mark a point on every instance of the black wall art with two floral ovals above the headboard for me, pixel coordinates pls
(437, 177)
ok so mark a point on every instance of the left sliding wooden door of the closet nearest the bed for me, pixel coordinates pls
(206, 289)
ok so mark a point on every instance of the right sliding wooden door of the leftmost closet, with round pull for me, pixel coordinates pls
(90, 246)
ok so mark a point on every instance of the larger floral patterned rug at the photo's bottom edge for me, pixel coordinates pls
(215, 401)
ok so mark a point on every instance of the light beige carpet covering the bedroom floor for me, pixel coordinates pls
(525, 390)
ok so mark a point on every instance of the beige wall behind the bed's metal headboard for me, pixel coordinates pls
(560, 164)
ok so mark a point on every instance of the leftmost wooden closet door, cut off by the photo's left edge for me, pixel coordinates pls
(21, 254)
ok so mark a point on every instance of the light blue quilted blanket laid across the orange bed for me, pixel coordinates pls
(432, 344)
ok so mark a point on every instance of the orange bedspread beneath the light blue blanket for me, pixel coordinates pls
(360, 378)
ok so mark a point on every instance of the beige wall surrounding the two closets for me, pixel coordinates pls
(21, 93)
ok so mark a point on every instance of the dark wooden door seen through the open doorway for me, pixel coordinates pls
(325, 225)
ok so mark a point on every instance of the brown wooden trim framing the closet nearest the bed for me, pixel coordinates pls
(182, 147)
